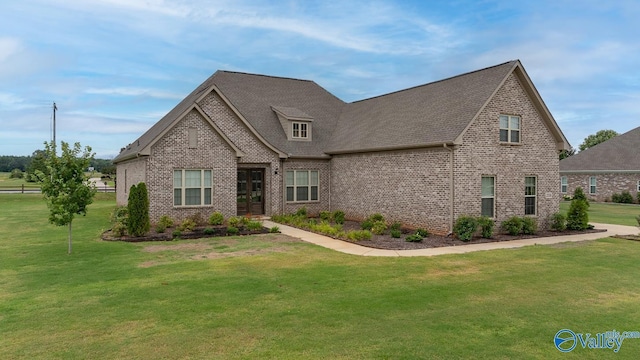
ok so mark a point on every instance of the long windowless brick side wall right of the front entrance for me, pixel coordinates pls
(407, 186)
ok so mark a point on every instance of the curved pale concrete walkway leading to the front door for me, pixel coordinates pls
(354, 249)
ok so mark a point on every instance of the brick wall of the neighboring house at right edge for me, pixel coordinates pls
(606, 184)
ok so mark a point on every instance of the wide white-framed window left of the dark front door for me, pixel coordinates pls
(192, 187)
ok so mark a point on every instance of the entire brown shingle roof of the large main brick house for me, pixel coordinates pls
(430, 114)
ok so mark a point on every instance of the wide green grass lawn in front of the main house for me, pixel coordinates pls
(272, 297)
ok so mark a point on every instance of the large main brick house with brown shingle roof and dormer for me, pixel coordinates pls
(479, 143)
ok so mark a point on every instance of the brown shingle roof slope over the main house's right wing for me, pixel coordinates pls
(433, 113)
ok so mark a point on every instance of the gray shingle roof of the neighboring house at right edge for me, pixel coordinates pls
(621, 153)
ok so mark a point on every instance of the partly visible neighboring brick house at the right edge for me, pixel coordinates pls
(605, 169)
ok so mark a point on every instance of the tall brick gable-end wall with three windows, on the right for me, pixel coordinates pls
(482, 154)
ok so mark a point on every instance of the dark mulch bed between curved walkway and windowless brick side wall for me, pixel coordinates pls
(432, 241)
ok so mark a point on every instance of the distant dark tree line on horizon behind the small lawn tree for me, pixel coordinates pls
(26, 166)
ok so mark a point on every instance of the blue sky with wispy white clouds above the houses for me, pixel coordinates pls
(115, 67)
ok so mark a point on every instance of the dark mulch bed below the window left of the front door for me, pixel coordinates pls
(197, 233)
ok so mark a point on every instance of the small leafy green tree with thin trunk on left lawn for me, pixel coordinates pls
(65, 186)
